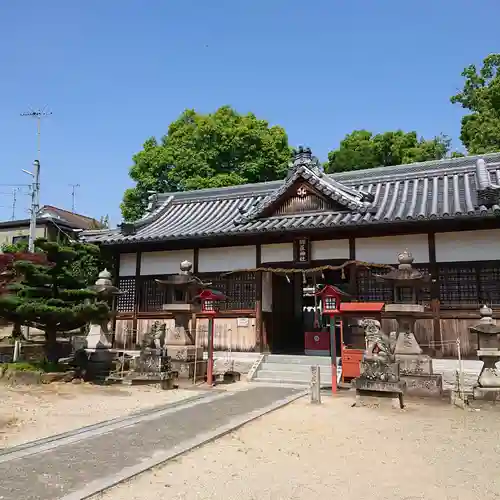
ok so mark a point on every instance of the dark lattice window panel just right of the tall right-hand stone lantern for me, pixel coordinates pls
(458, 285)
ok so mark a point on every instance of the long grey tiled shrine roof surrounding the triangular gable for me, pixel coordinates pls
(420, 191)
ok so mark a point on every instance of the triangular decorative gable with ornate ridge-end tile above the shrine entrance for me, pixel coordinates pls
(308, 190)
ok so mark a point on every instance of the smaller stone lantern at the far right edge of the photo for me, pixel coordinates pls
(488, 351)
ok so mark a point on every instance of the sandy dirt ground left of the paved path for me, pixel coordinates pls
(34, 412)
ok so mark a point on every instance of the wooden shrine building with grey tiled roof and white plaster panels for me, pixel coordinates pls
(267, 247)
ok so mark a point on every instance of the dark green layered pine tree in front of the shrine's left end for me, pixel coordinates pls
(46, 295)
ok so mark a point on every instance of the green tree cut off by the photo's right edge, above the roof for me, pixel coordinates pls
(480, 131)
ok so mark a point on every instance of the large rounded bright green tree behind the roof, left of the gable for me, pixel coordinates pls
(199, 151)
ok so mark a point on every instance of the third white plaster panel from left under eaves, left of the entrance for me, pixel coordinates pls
(226, 258)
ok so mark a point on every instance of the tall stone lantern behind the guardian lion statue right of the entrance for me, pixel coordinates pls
(415, 367)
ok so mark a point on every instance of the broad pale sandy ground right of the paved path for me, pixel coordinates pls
(430, 451)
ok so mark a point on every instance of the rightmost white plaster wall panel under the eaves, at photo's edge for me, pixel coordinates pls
(468, 246)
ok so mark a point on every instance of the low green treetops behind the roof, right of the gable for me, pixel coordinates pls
(362, 149)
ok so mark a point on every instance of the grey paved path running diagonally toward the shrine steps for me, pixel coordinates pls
(66, 471)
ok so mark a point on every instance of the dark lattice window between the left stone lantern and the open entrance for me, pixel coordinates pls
(240, 289)
